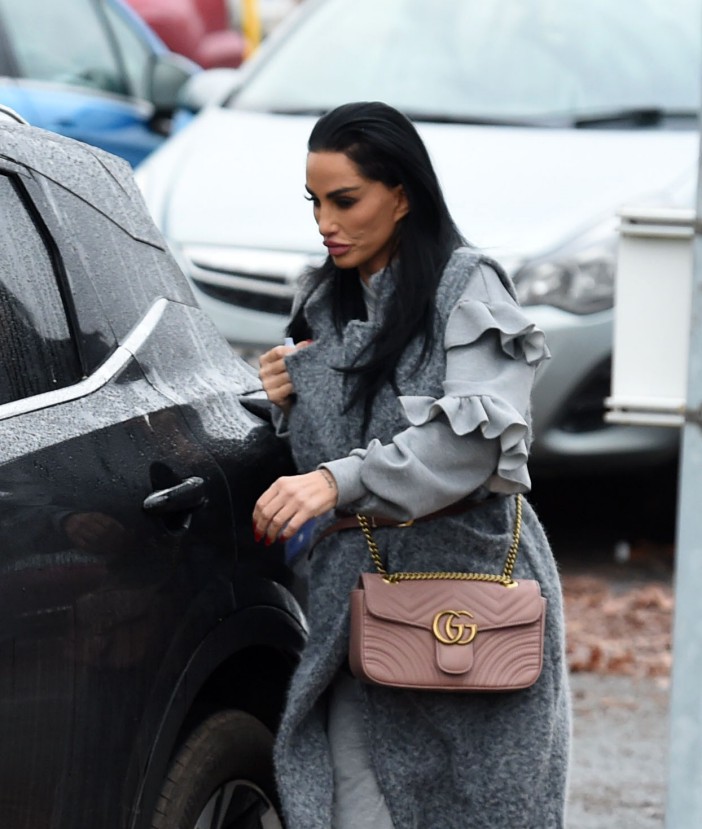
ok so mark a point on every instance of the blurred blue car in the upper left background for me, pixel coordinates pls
(90, 70)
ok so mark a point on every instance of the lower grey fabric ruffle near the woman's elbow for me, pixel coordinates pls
(495, 419)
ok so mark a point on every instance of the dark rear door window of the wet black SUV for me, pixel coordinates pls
(36, 351)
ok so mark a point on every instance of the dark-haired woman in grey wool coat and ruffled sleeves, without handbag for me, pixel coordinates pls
(407, 396)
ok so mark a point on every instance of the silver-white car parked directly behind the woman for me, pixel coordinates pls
(543, 120)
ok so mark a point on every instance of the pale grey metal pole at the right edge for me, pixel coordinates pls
(684, 806)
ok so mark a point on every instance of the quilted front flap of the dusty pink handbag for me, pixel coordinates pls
(489, 605)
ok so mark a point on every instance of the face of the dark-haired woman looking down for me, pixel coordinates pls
(357, 217)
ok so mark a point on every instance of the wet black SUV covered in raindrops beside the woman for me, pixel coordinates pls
(146, 641)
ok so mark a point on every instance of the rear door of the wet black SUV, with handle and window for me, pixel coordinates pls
(92, 584)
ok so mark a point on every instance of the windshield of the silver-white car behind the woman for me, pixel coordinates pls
(488, 60)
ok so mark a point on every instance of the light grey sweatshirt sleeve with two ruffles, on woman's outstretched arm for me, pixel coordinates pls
(474, 436)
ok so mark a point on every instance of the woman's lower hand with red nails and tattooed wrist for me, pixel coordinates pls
(290, 502)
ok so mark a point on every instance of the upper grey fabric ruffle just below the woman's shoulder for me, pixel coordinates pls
(519, 338)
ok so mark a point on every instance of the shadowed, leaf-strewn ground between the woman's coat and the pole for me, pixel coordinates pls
(613, 540)
